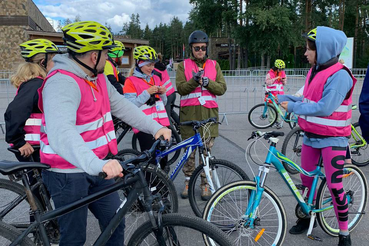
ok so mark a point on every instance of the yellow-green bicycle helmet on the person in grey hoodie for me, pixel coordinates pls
(84, 36)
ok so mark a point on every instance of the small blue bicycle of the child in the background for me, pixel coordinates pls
(265, 114)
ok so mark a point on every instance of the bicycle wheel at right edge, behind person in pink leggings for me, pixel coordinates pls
(360, 155)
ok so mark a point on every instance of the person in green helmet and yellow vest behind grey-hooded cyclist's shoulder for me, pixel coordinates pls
(114, 60)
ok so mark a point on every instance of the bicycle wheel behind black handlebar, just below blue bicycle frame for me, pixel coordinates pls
(155, 178)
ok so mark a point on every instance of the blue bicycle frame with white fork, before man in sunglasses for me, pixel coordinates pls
(191, 144)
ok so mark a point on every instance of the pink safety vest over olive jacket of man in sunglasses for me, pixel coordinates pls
(193, 99)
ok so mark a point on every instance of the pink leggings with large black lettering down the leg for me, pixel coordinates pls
(333, 160)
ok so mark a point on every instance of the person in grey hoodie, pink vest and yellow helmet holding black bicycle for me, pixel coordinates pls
(78, 132)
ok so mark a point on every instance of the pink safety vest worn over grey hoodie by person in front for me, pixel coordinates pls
(93, 122)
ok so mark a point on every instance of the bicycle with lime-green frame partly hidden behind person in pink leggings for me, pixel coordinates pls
(292, 145)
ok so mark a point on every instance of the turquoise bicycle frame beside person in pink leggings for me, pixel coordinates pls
(274, 158)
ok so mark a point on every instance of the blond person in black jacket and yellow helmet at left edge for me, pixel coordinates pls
(22, 117)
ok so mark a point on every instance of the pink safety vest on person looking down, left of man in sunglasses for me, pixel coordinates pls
(156, 111)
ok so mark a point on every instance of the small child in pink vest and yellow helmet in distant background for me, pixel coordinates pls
(275, 80)
